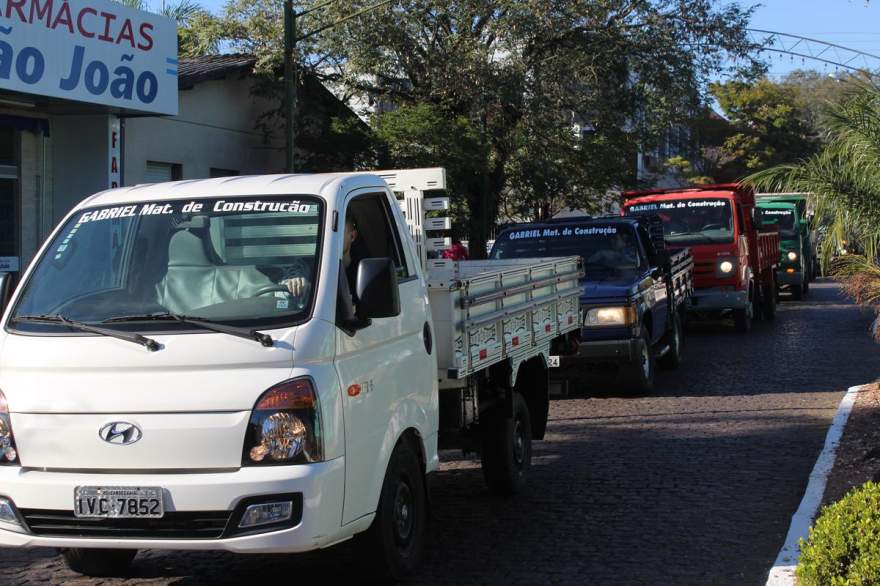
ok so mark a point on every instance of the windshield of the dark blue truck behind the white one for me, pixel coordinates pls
(602, 246)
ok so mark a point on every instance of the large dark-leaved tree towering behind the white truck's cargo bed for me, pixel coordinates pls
(526, 74)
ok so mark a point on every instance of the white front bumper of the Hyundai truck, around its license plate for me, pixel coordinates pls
(321, 486)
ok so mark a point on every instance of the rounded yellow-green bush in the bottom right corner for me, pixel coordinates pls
(844, 545)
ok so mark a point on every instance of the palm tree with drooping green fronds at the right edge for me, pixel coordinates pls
(844, 178)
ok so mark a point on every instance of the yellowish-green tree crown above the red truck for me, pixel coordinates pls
(769, 125)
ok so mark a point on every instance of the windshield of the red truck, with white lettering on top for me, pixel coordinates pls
(689, 222)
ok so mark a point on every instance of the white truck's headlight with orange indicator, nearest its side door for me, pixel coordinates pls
(285, 426)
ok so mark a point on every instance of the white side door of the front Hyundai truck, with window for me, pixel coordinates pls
(383, 368)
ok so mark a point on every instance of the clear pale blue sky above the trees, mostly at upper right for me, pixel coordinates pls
(853, 24)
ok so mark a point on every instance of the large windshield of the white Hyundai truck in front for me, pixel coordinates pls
(247, 261)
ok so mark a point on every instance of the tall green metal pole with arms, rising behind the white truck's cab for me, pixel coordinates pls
(290, 41)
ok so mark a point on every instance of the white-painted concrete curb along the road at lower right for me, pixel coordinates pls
(782, 572)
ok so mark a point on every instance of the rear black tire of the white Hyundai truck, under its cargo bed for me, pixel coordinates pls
(506, 455)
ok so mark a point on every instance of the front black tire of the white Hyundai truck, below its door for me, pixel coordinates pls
(394, 544)
